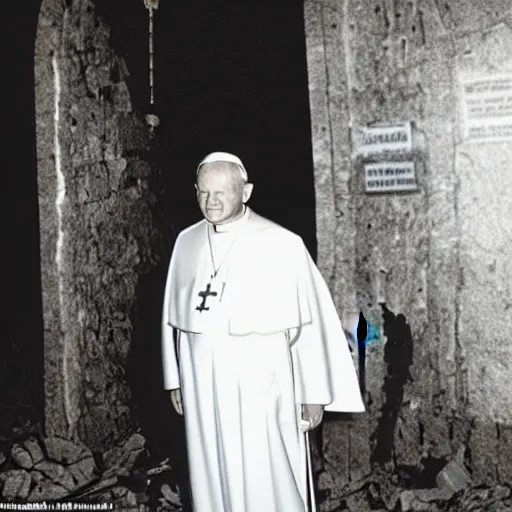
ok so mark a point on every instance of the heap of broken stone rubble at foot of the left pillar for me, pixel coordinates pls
(53, 469)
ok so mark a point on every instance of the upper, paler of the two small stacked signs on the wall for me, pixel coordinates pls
(381, 137)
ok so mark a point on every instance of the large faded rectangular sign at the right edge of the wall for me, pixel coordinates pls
(487, 107)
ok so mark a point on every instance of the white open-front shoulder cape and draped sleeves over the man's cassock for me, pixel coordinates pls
(273, 286)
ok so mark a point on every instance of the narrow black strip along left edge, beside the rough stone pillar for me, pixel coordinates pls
(21, 346)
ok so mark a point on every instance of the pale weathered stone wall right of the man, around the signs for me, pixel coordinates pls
(429, 268)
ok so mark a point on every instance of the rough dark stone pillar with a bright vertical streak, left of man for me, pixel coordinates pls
(97, 233)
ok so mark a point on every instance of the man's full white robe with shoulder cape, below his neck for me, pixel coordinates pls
(269, 341)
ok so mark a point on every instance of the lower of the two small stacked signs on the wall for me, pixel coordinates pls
(390, 177)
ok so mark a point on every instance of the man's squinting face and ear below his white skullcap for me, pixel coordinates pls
(221, 192)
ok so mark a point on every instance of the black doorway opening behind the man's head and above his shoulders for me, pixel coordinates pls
(229, 77)
